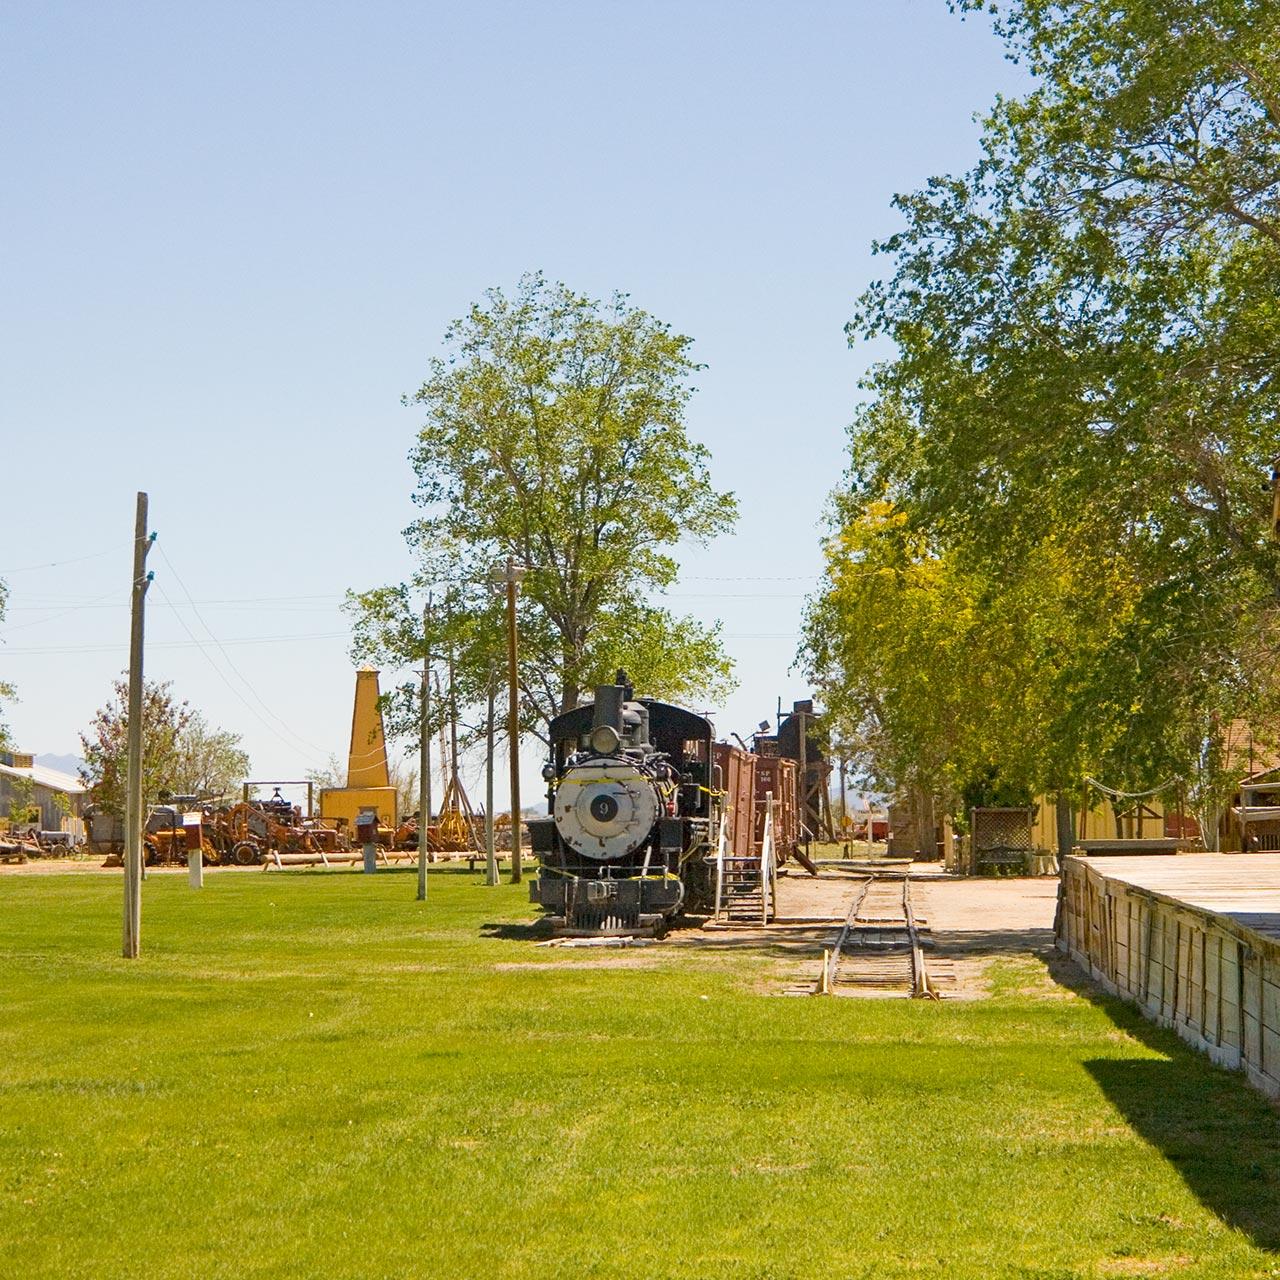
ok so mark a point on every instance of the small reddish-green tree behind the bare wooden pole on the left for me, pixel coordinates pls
(182, 753)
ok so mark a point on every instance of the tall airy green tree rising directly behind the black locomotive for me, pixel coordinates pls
(555, 433)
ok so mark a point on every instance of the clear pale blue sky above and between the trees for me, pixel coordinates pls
(234, 235)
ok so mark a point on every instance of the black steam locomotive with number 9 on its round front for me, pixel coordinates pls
(633, 816)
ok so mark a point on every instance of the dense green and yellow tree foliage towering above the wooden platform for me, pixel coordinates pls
(1076, 432)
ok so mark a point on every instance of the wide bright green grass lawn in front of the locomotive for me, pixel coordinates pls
(313, 1075)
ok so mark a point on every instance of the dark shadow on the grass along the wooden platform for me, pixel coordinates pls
(1219, 1133)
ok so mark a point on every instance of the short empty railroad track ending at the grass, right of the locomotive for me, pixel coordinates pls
(880, 947)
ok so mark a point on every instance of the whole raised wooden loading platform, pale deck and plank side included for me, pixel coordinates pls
(1192, 940)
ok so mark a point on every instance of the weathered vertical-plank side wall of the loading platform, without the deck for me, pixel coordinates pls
(1208, 977)
